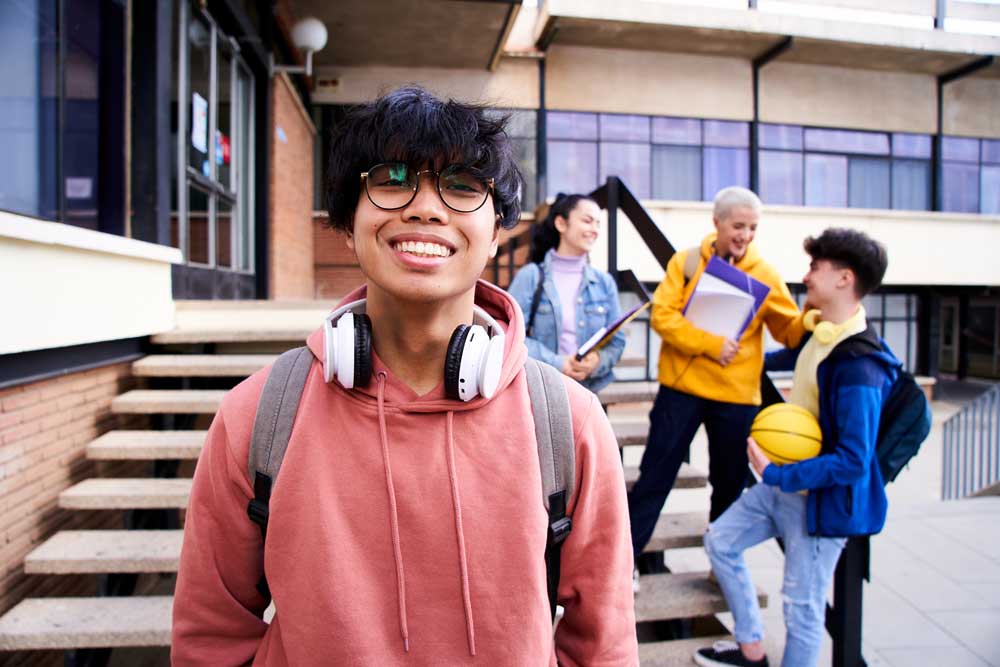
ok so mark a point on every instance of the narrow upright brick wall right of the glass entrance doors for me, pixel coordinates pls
(291, 202)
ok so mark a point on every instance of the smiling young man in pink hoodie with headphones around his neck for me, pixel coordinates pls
(408, 526)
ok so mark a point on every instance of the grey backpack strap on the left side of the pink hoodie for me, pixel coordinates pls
(272, 429)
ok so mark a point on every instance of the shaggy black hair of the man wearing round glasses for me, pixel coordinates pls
(411, 125)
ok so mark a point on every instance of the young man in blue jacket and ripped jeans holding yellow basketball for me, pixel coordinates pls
(843, 373)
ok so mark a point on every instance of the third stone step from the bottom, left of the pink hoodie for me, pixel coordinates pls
(124, 493)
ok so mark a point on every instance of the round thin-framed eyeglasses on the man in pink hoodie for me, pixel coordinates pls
(393, 185)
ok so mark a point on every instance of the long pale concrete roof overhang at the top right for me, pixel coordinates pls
(748, 33)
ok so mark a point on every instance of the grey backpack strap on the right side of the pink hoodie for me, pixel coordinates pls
(556, 458)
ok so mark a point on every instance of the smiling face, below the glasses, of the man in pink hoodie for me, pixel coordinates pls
(425, 251)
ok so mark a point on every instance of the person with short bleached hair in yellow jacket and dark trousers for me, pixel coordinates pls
(705, 378)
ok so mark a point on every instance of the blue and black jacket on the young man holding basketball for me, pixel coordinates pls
(846, 491)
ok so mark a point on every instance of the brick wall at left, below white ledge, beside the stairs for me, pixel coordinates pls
(44, 430)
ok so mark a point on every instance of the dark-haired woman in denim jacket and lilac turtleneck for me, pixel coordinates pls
(575, 298)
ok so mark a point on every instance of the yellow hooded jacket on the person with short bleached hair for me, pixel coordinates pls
(688, 354)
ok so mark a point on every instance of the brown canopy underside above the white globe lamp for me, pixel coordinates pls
(407, 33)
